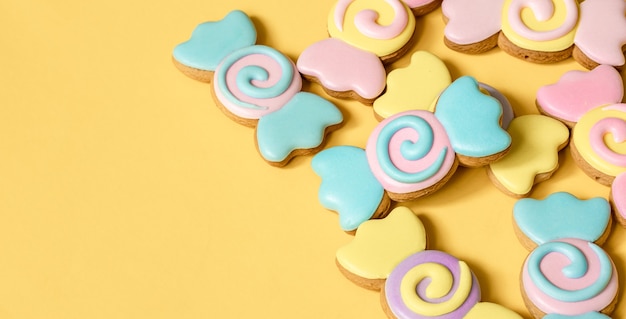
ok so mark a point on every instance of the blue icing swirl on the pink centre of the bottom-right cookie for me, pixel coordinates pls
(577, 268)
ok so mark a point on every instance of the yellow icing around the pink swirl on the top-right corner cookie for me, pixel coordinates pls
(530, 21)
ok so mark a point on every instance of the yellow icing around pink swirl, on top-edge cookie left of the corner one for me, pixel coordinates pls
(353, 36)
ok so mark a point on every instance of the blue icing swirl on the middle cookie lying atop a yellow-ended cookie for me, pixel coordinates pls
(409, 150)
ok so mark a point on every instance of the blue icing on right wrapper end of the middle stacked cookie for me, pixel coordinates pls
(462, 108)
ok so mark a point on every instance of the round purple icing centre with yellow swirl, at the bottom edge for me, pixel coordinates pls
(431, 284)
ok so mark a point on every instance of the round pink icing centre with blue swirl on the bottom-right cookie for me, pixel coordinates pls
(569, 277)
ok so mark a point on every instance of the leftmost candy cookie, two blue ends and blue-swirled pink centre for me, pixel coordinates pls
(257, 86)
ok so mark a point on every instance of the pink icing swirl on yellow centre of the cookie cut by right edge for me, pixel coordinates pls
(614, 126)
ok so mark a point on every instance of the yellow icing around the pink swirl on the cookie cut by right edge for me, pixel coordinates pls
(580, 135)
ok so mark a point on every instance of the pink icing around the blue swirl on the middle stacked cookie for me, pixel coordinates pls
(440, 142)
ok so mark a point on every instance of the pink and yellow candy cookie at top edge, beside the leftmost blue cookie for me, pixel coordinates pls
(364, 35)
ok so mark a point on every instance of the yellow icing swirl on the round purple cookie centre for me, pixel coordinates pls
(442, 283)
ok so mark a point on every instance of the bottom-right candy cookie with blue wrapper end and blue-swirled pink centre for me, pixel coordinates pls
(567, 273)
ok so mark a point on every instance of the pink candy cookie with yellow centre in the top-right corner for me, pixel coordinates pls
(540, 31)
